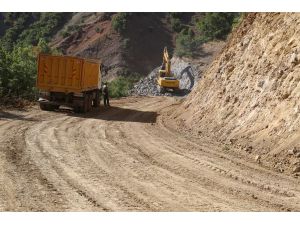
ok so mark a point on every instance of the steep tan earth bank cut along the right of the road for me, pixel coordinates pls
(250, 95)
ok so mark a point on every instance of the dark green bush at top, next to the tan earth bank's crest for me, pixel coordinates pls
(216, 25)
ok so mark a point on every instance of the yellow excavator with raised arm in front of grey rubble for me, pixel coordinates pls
(165, 79)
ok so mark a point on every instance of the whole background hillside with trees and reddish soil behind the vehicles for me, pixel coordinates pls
(129, 44)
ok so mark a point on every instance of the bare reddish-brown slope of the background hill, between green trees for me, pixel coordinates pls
(136, 49)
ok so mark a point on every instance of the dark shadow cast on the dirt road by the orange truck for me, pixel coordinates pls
(115, 113)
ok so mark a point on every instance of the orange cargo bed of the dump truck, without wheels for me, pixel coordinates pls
(67, 74)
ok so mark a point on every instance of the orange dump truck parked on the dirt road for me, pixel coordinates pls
(68, 81)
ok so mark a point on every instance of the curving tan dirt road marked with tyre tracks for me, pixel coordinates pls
(128, 158)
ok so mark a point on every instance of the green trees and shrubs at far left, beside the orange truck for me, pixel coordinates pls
(24, 36)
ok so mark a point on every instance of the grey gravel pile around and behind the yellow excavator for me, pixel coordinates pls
(181, 69)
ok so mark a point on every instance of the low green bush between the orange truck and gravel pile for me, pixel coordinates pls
(120, 86)
